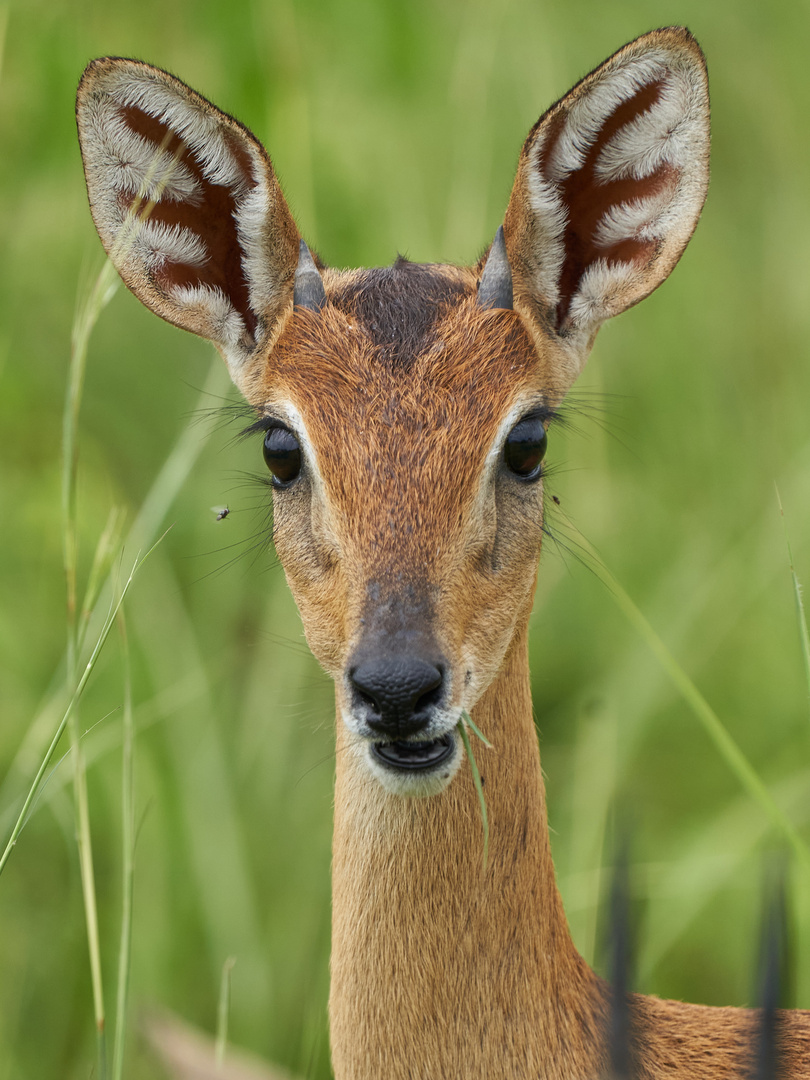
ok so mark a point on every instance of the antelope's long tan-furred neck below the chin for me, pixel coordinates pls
(438, 968)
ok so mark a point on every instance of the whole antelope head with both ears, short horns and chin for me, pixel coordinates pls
(404, 411)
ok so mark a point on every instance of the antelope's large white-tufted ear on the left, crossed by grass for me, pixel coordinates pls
(188, 207)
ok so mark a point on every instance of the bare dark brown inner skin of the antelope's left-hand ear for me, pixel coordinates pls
(211, 219)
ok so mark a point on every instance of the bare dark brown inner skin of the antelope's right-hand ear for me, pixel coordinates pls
(587, 199)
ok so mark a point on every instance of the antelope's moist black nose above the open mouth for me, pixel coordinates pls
(398, 695)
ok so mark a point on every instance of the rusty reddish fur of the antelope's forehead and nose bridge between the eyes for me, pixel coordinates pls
(403, 425)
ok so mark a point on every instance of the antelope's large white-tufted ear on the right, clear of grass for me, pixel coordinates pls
(610, 187)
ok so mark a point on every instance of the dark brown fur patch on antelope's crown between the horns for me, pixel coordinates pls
(398, 307)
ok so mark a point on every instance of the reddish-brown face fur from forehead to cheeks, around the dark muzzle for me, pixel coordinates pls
(414, 436)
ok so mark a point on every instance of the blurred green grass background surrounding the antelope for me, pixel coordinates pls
(396, 128)
